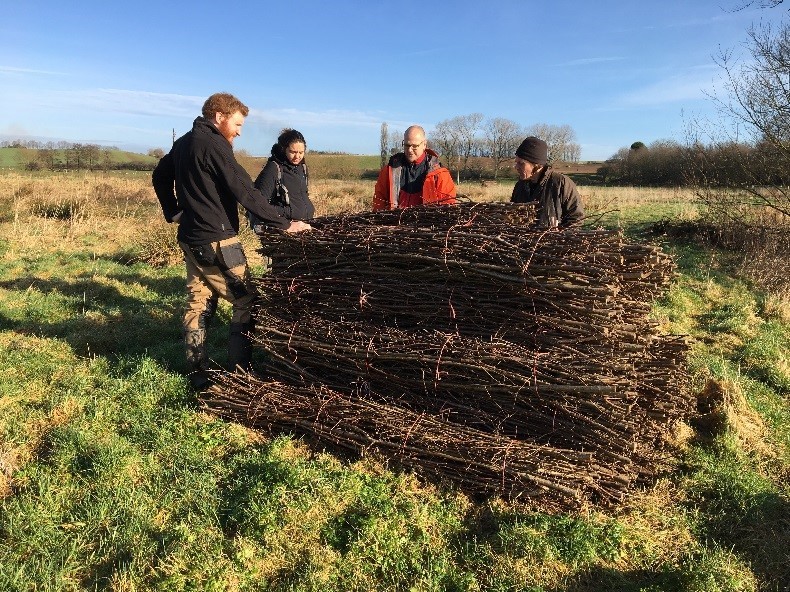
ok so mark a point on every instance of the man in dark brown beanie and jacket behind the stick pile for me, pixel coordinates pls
(555, 195)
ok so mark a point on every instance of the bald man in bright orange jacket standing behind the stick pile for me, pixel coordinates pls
(413, 177)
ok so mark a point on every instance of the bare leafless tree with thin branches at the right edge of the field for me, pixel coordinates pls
(750, 143)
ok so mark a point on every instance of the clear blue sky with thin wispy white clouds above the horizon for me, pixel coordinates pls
(129, 73)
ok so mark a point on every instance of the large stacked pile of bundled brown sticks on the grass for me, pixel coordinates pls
(465, 345)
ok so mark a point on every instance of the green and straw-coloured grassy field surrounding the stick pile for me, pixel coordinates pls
(112, 478)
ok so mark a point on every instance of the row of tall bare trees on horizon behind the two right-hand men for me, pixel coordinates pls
(460, 138)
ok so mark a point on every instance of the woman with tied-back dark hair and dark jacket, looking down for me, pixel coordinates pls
(284, 179)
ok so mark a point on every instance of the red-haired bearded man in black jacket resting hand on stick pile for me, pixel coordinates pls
(199, 184)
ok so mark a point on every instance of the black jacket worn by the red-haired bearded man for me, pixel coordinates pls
(201, 178)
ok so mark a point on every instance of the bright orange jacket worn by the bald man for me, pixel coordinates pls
(438, 187)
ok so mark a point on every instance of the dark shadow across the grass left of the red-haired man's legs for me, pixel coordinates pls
(89, 311)
